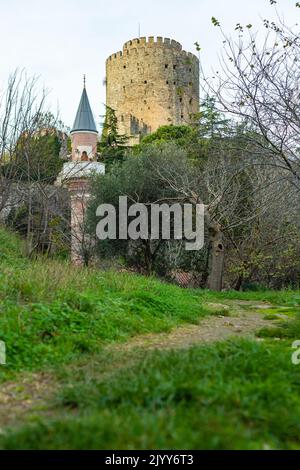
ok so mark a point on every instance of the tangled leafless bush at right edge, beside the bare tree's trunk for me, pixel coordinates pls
(266, 251)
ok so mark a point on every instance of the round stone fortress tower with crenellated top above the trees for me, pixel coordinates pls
(152, 83)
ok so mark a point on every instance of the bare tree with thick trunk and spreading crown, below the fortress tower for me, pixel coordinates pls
(231, 192)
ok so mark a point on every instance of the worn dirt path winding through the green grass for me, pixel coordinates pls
(31, 393)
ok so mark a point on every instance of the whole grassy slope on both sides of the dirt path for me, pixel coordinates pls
(235, 394)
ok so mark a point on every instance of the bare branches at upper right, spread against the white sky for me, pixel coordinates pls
(258, 84)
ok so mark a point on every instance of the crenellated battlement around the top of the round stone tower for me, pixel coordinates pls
(151, 42)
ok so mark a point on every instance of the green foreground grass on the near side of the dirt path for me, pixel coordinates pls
(233, 395)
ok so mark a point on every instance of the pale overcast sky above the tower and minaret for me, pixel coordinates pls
(61, 40)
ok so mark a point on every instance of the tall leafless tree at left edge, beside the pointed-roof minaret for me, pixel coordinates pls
(24, 118)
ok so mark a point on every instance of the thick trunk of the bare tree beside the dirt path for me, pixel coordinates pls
(215, 278)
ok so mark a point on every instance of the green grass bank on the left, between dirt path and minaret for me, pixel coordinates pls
(51, 313)
